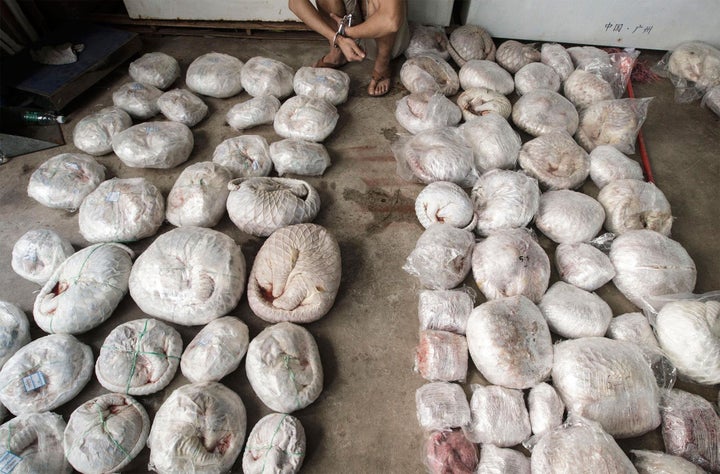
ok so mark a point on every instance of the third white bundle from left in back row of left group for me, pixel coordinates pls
(266, 76)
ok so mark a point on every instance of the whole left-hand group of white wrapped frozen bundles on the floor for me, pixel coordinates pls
(191, 275)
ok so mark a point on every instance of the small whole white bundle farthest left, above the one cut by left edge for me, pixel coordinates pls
(38, 253)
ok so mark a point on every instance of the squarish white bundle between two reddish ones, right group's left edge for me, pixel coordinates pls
(441, 406)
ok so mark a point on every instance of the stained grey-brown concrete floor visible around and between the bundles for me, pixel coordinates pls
(364, 420)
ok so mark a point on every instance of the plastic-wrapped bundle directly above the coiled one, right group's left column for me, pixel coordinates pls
(440, 154)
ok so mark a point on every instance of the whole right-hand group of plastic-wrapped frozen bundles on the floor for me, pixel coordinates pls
(564, 376)
